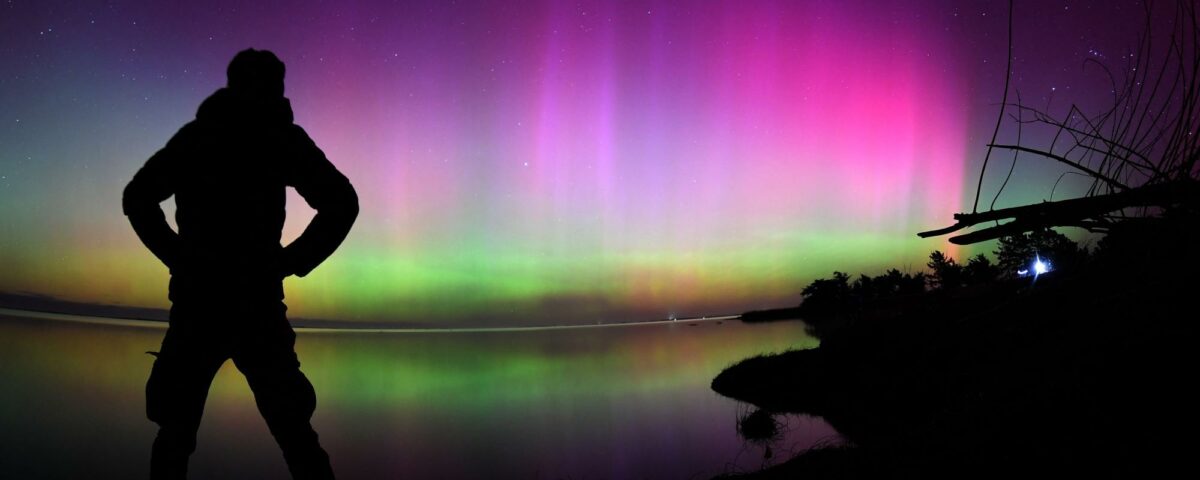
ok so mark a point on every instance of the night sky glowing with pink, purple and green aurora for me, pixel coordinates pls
(541, 163)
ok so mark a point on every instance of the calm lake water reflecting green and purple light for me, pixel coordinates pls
(592, 403)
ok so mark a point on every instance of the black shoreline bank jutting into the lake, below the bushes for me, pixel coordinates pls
(1083, 374)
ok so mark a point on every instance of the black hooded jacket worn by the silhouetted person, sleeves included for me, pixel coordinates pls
(229, 171)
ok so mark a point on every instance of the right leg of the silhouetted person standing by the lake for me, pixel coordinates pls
(285, 397)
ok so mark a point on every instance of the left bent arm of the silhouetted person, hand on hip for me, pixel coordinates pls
(151, 187)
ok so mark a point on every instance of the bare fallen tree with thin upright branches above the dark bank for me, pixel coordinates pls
(1143, 155)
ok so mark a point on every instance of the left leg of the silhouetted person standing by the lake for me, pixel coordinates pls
(176, 395)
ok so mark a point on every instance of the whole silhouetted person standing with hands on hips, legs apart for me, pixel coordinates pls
(229, 171)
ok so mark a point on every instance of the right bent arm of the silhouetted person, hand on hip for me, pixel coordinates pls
(332, 195)
